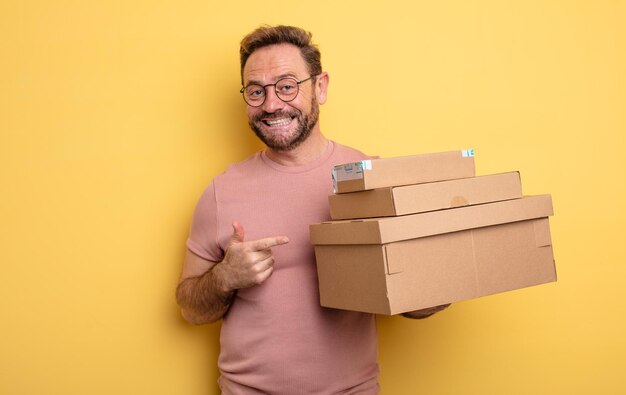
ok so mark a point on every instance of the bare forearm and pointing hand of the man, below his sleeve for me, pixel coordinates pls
(206, 288)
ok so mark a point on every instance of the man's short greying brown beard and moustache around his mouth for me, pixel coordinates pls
(287, 143)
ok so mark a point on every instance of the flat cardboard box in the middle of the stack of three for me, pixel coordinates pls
(411, 199)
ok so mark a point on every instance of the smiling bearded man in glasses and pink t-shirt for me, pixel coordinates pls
(249, 261)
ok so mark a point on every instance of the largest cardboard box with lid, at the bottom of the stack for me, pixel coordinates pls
(398, 264)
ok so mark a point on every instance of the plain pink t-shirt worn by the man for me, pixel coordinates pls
(276, 338)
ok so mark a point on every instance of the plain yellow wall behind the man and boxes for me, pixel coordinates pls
(114, 116)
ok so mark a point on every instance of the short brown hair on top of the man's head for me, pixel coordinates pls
(272, 35)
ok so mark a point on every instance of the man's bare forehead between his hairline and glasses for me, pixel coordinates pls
(269, 63)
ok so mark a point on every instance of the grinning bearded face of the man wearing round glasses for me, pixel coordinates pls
(281, 126)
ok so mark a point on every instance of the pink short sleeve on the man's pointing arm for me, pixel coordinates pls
(202, 239)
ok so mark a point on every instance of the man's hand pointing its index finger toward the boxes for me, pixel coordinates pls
(247, 263)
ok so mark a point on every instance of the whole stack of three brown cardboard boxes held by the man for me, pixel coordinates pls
(413, 232)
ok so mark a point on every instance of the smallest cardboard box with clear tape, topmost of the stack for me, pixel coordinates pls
(403, 170)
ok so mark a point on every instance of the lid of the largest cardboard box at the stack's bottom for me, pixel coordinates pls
(389, 229)
